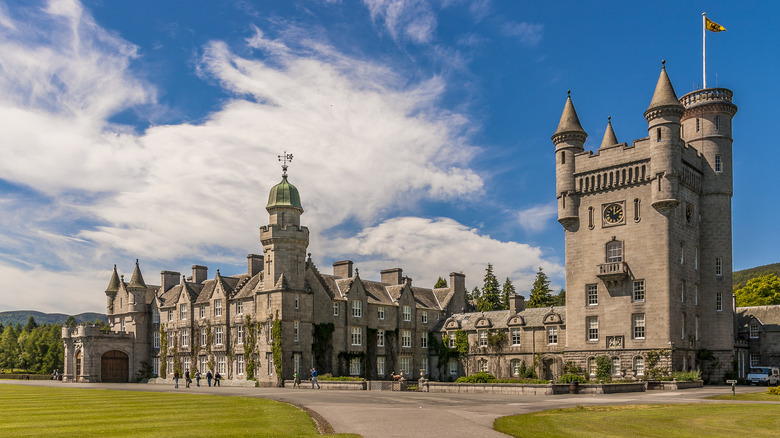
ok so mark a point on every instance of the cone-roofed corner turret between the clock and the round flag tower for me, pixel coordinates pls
(663, 126)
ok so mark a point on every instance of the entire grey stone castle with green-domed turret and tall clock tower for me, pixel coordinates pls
(648, 273)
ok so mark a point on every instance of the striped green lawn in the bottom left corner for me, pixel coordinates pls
(29, 411)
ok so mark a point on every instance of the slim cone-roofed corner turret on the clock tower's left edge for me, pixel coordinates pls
(569, 139)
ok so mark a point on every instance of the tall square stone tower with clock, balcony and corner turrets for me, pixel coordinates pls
(648, 234)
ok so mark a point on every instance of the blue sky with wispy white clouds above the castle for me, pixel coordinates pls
(420, 130)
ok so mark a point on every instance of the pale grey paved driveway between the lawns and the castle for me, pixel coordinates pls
(404, 414)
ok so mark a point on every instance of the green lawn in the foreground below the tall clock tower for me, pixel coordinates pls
(681, 420)
